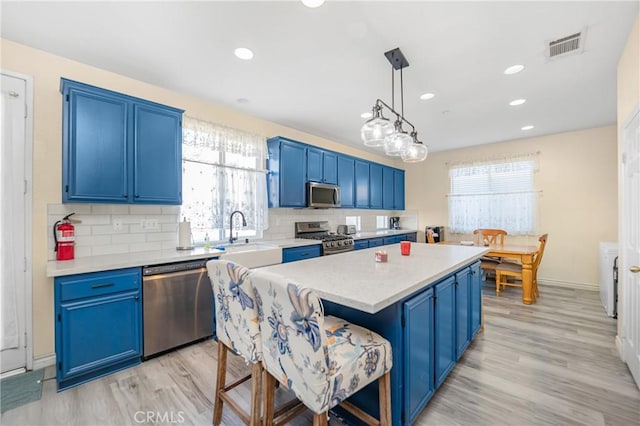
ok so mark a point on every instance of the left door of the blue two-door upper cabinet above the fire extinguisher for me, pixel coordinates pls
(95, 152)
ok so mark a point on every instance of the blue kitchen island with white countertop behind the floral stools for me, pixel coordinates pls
(428, 305)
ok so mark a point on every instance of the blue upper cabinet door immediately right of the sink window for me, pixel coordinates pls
(292, 174)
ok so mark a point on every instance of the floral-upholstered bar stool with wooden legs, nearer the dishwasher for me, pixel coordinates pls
(237, 330)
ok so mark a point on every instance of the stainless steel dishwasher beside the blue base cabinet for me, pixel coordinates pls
(177, 305)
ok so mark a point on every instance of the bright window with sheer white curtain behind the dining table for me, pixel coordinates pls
(494, 194)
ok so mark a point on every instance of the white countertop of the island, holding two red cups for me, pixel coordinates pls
(356, 280)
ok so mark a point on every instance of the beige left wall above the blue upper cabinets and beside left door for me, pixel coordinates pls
(46, 70)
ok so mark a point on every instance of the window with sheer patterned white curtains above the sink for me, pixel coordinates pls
(222, 171)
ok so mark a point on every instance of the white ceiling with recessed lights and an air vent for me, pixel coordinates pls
(317, 70)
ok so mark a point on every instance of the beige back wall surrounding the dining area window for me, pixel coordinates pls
(578, 205)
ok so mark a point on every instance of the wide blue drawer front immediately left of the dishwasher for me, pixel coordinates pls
(98, 283)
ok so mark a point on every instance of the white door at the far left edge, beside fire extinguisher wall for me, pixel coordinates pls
(13, 271)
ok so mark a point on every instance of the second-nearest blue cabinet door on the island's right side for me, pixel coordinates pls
(445, 329)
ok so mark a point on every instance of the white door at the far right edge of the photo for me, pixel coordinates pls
(629, 272)
